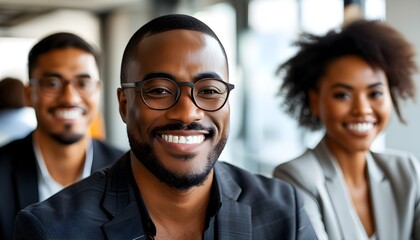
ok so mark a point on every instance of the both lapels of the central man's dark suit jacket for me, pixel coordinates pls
(233, 218)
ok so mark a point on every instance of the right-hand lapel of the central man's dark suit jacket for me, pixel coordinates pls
(233, 219)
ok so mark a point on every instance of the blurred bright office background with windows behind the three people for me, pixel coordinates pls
(257, 35)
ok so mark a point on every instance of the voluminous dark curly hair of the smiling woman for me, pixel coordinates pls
(380, 45)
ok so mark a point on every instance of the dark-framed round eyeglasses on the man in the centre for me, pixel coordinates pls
(163, 93)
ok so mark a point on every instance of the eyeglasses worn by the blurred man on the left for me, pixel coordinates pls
(53, 86)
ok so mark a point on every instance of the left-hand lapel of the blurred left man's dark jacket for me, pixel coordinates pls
(26, 174)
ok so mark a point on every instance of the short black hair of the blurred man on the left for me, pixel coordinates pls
(59, 40)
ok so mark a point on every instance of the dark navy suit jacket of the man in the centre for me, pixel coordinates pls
(104, 206)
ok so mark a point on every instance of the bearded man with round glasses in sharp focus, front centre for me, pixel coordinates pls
(173, 99)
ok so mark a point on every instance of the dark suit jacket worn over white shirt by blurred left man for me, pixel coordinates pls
(19, 180)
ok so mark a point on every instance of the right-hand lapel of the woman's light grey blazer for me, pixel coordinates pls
(383, 201)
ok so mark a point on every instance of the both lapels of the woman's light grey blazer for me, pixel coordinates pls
(380, 190)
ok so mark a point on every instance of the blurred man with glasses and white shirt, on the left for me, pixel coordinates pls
(64, 90)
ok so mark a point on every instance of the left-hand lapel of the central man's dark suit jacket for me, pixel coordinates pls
(120, 202)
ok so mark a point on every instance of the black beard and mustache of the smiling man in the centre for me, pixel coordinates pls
(146, 155)
